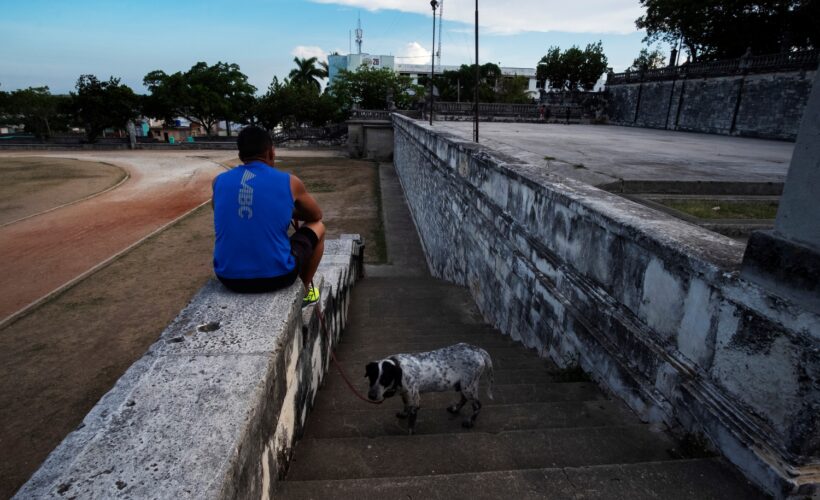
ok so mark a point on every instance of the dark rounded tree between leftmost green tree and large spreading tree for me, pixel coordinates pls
(99, 105)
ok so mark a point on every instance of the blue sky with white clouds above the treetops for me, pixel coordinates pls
(52, 42)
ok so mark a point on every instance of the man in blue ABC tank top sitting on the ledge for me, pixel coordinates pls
(253, 207)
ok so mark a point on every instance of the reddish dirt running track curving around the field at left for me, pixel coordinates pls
(42, 253)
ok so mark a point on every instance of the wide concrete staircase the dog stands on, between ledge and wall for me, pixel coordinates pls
(547, 434)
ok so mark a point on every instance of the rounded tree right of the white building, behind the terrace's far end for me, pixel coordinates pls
(573, 69)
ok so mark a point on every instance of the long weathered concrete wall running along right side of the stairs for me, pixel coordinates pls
(651, 307)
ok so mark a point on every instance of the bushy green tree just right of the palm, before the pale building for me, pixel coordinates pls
(370, 88)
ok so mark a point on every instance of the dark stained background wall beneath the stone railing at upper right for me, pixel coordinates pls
(755, 105)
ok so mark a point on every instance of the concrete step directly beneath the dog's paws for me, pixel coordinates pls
(381, 420)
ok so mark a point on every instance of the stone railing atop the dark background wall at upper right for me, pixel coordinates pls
(771, 63)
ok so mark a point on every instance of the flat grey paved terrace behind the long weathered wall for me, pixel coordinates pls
(600, 154)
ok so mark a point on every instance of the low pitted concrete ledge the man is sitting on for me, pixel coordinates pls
(213, 408)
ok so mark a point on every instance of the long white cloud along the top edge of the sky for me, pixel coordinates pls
(517, 16)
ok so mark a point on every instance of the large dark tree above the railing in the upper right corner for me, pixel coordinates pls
(721, 29)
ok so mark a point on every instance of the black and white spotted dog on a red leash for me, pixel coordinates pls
(458, 367)
